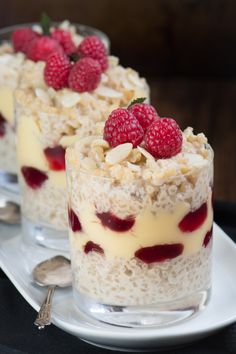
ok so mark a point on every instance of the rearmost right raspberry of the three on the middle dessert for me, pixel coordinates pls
(93, 47)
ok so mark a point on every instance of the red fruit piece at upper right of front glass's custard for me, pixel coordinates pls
(194, 219)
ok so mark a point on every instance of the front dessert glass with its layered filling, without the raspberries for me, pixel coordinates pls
(140, 233)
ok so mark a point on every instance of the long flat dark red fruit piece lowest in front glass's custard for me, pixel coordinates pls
(159, 253)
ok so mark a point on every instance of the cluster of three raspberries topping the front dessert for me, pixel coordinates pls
(140, 124)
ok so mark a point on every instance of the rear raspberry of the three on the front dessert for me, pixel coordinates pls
(145, 113)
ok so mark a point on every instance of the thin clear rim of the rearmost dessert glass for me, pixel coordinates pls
(79, 27)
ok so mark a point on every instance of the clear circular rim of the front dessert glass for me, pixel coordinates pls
(166, 180)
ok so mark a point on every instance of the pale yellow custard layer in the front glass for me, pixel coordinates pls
(148, 230)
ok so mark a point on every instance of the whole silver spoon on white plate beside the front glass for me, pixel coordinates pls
(53, 272)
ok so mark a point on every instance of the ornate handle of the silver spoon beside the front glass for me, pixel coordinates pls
(44, 316)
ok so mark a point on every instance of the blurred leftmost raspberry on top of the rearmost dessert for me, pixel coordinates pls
(22, 38)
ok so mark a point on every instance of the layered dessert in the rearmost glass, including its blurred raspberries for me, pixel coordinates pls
(17, 54)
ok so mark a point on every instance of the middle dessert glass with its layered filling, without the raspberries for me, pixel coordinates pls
(47, 122)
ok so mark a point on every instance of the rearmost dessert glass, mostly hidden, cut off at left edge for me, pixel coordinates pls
(10, 71)
